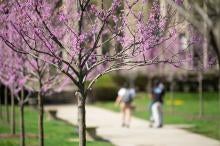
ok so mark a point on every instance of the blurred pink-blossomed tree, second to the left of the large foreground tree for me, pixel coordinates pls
(19, 75)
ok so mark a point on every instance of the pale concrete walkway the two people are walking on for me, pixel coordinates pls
(139, 134)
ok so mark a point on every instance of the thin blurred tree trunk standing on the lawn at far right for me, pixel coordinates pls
(201, 100)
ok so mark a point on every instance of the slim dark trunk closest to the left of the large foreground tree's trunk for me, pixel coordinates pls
(41, 118)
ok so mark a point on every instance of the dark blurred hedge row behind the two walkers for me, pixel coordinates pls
(107, 86)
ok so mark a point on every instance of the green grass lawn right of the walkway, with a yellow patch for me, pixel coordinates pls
(184, 111)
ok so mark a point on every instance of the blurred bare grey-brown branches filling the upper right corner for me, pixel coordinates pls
(203, 12)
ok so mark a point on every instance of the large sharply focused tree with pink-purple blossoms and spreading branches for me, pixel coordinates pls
(70, 36)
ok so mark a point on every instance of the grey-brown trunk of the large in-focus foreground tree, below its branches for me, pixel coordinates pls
(81, 119)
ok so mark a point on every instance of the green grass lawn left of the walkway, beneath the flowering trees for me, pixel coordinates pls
(57, 133)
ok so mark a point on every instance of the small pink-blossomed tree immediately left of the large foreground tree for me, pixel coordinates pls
(42, 78)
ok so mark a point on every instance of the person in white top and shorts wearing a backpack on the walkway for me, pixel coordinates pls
(124, 99)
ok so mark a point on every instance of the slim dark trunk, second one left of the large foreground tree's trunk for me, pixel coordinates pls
(22, 126)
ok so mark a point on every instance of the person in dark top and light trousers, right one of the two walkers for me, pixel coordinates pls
(157, 96)
